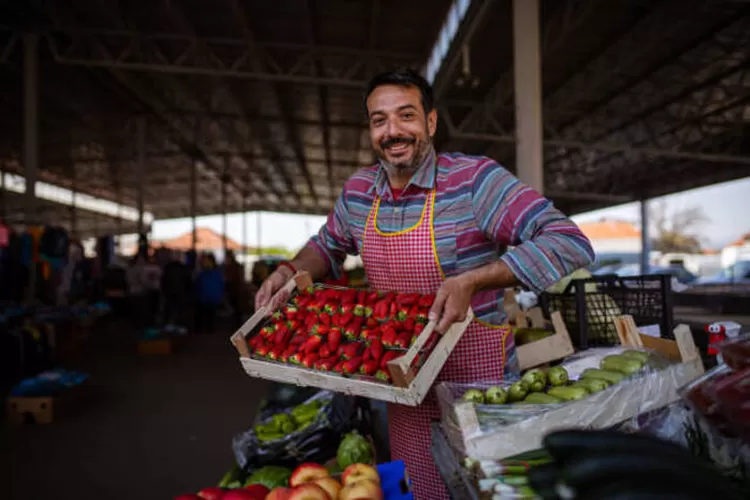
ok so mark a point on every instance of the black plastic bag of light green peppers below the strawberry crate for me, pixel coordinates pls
(308, 432)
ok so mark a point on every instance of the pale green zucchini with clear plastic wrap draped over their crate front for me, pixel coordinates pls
(595, 389)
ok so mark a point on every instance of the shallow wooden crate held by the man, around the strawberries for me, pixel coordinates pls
(408, 388)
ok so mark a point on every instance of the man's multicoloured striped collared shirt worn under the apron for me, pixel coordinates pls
(482, 214)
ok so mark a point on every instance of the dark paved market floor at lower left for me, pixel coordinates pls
(150, 428)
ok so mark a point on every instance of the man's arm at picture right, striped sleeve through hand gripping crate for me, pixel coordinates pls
(548, 245)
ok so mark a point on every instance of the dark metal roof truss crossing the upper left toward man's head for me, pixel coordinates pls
(128, 50)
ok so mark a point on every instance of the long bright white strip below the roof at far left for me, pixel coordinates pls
(56, 194)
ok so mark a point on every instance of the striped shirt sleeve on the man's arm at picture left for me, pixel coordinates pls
(334, 241)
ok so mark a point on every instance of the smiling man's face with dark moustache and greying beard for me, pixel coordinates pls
(400, 130)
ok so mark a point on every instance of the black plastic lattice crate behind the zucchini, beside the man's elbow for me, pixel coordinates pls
(589, 306)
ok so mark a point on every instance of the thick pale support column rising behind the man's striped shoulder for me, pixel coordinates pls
(528, 94)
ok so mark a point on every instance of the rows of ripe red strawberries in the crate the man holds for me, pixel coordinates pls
(352, 333)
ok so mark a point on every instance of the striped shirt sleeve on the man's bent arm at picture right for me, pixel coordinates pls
(547, 245)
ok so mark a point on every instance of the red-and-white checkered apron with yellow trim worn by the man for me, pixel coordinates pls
(406, 261)
